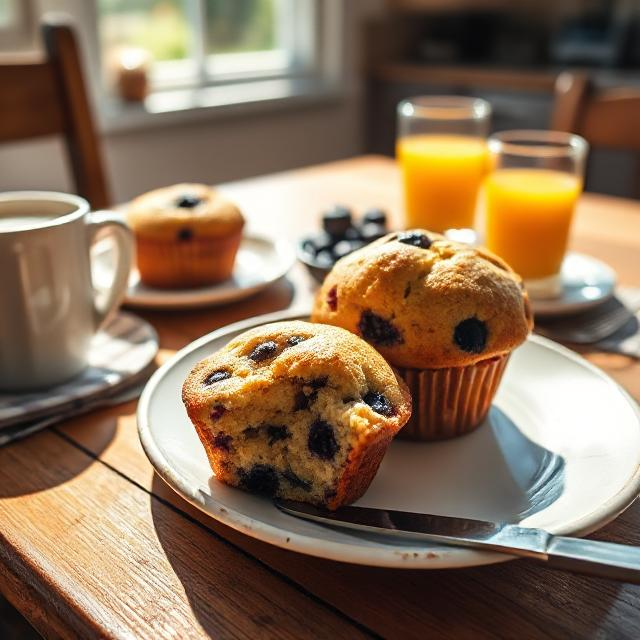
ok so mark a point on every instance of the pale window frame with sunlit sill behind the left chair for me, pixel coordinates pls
(323, 81)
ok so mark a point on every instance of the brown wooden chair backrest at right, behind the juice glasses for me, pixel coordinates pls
(606, 118)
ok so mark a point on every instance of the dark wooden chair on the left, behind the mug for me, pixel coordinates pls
(48, 97)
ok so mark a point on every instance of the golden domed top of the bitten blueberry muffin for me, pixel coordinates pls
(323, 370)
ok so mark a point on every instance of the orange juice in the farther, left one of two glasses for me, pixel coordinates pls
(441, 175)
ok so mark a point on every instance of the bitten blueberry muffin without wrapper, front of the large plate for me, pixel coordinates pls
(296, 410)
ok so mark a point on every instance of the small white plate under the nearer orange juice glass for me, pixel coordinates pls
(586, 282)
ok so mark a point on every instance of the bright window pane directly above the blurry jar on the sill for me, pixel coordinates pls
(159, 26)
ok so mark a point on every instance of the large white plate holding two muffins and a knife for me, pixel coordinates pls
(560, 450)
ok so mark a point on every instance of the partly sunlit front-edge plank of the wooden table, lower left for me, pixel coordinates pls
(111, 560)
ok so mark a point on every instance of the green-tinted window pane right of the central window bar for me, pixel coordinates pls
(238, 26)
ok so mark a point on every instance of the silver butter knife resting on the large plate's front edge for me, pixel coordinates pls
(592, 557)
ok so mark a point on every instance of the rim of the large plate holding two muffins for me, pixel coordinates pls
(394, 557)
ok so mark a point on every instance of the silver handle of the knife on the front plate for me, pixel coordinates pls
(593, 557)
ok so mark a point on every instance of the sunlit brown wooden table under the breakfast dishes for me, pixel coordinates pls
(92, 543)
